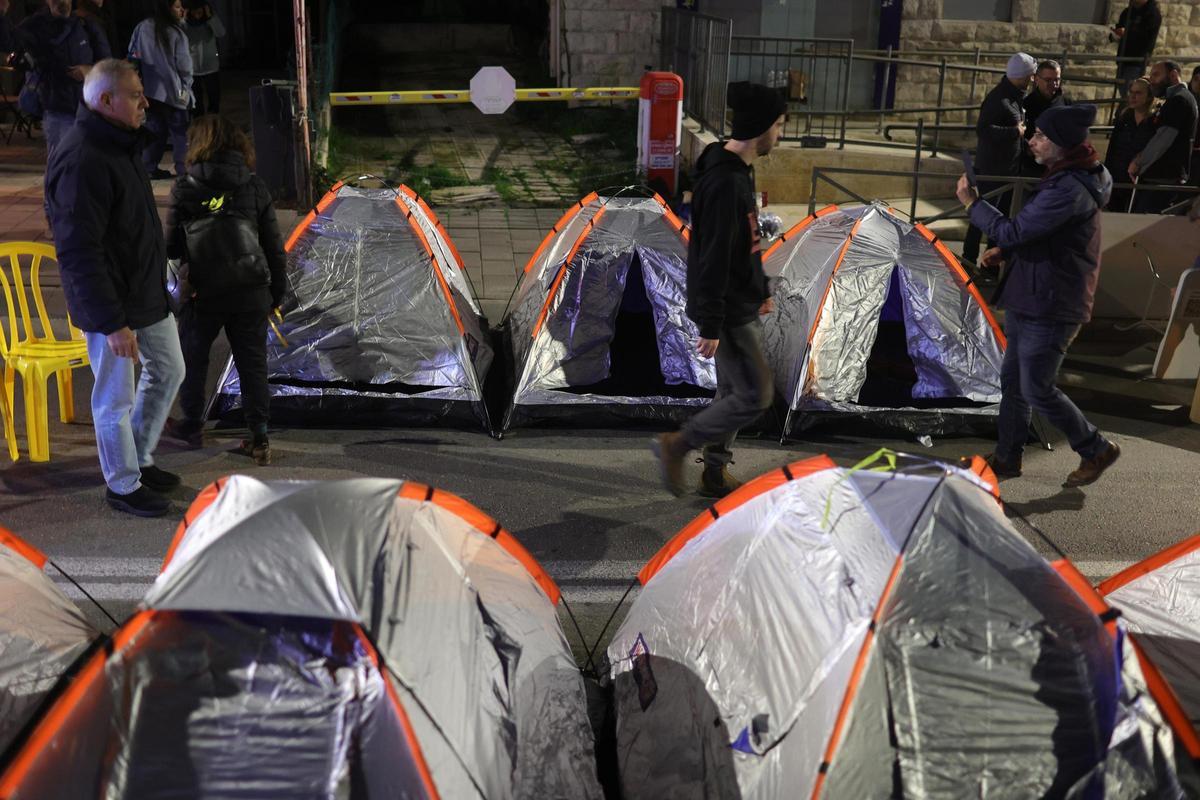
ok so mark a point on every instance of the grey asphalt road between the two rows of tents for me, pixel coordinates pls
(587, 503)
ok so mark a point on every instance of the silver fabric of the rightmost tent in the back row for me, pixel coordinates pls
(829, 299)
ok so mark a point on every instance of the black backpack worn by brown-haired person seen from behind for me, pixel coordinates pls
(224, 252)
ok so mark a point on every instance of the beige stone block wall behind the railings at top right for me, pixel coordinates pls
(925, 29)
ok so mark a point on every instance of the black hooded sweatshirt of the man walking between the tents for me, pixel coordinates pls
(727, 285)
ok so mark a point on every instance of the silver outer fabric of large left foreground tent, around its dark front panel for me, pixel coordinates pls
(472, 642)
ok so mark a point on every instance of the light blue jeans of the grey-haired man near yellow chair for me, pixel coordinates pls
(129, 422)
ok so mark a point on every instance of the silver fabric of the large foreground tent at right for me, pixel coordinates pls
(987, 675)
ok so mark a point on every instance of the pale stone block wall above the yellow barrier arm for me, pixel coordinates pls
(609, 43)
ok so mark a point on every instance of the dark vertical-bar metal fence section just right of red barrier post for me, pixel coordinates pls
(697, 49)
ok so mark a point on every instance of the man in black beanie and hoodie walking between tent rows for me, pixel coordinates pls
(728, 292)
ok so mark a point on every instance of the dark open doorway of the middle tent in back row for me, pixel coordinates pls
(635, 362)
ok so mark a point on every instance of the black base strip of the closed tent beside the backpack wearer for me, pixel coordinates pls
(359, 412)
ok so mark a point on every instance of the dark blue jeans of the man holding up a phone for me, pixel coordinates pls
(1035, 353)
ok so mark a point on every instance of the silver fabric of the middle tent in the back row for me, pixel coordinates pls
(572, 345)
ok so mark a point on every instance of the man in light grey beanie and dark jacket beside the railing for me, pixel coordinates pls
(1001, 131)
